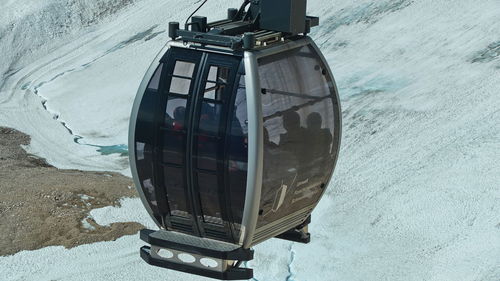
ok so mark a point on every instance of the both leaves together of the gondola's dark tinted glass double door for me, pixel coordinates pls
(196, 119)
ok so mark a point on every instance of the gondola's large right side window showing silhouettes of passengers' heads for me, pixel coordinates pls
(298, 115)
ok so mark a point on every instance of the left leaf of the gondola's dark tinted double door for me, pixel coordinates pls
(173, 120)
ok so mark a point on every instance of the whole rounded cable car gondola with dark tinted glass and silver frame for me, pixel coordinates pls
(234, 136)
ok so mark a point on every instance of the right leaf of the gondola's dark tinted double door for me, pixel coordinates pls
(214, 107)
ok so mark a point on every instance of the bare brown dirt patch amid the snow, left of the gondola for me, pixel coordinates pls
(41, 205)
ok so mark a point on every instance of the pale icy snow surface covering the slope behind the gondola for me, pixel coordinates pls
(416, 194)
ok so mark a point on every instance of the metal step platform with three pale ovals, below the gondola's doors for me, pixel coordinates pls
(195, 255)
